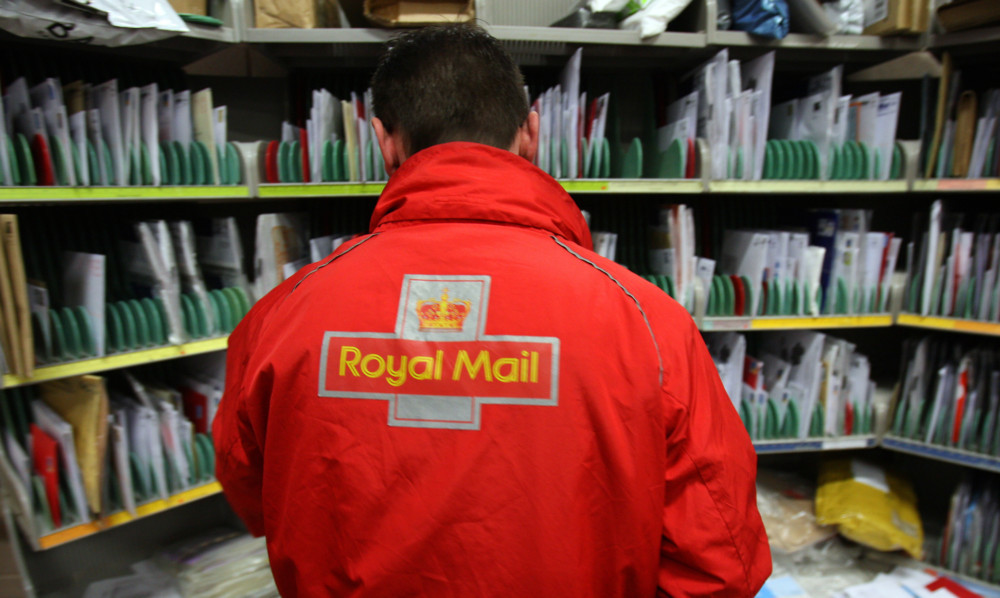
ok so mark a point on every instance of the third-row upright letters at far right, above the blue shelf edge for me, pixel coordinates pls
(949, 395)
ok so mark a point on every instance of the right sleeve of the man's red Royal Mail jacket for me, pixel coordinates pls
(714, 543)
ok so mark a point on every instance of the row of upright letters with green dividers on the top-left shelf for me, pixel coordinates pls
(79, 134)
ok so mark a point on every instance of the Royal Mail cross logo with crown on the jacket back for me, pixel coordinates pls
(438, 367)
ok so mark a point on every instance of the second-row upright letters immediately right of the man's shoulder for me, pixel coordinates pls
(839, 266)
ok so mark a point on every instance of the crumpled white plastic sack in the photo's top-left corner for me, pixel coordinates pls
(127, 22)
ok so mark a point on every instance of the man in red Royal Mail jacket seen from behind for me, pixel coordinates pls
(468, 401)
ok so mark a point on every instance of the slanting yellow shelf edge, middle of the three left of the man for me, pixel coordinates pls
(117, 361)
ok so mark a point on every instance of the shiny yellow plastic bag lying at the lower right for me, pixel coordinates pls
(870, 506)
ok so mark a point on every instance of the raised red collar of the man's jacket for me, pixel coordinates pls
(474, 182)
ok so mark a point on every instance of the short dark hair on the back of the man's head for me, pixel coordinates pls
(449, 83)
